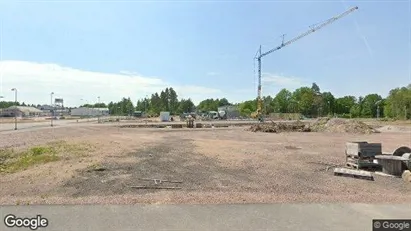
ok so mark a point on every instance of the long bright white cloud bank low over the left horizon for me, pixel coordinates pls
(35, 82)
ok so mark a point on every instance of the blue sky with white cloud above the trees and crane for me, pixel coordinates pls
(85, 49)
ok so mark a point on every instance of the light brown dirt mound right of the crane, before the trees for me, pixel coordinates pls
(341, 126)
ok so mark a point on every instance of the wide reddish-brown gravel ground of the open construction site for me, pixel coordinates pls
(100, 163)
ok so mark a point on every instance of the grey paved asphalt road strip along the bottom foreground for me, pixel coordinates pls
(281, 217)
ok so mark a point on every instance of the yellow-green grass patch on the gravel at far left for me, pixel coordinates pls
(12, 161)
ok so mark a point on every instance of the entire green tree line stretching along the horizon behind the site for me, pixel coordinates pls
(308, 101)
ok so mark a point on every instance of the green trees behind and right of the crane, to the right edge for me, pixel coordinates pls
(311, 102)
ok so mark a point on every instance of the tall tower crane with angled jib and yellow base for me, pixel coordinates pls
(258, 114)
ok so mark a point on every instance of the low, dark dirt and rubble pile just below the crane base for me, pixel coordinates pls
(280, 127)
